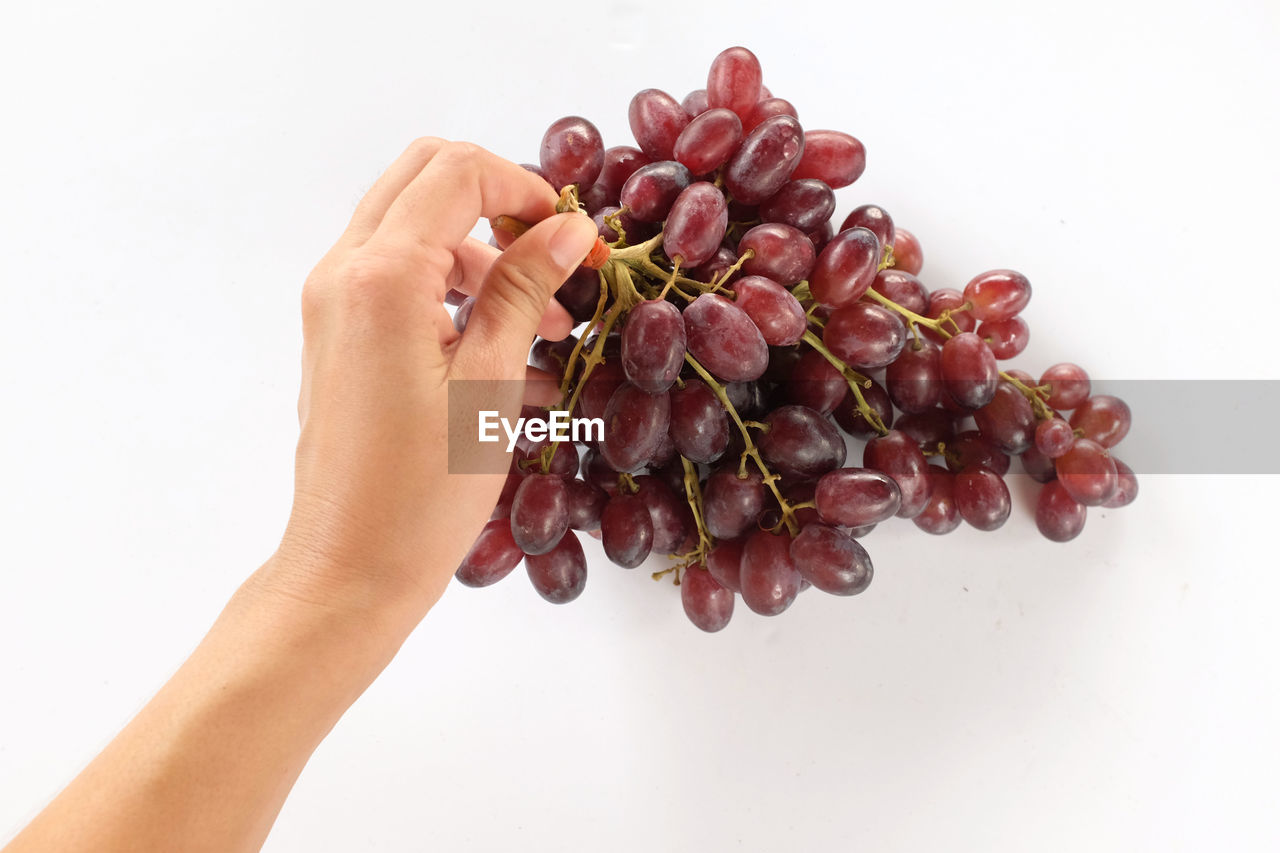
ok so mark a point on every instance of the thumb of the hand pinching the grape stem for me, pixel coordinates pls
(518, 289)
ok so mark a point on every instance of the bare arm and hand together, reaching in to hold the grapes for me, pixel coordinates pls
(208, 764)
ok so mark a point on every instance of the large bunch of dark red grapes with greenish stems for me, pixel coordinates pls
(732, 337)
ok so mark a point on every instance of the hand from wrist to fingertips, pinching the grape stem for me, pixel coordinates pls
(377, 516)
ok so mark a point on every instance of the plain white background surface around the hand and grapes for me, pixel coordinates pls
(170, 172)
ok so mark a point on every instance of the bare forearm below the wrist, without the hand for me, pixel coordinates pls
(209, 761)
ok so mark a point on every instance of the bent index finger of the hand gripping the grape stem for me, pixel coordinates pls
(460, 185)
